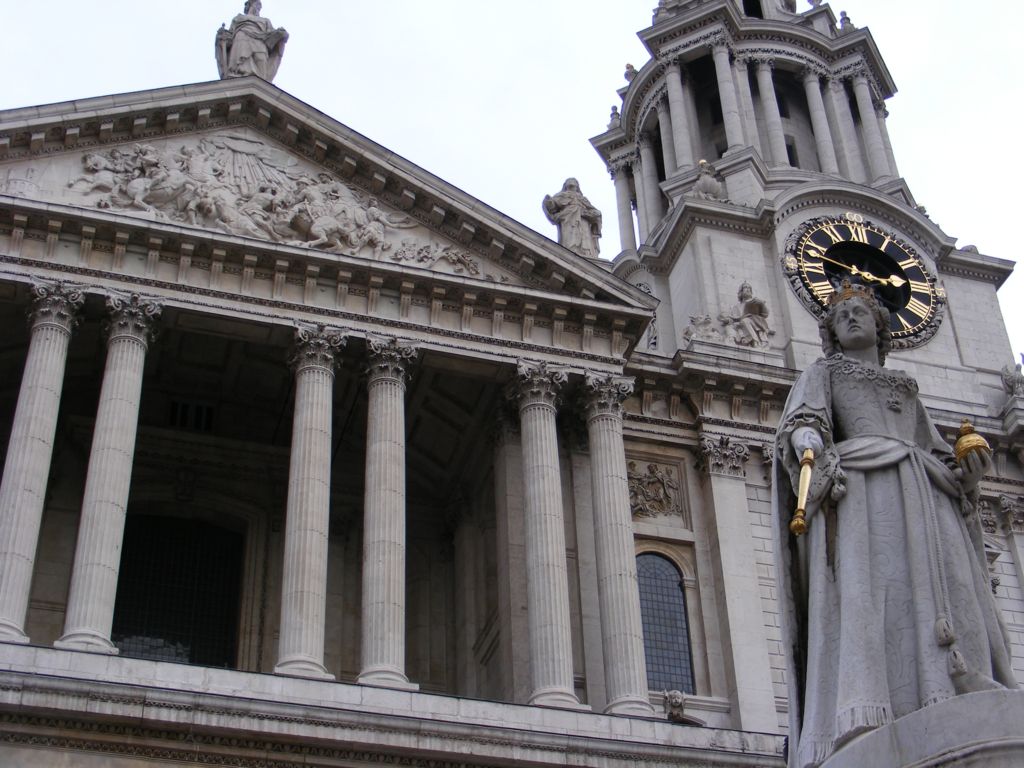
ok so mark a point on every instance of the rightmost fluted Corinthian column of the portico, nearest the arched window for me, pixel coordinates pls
(622, 628)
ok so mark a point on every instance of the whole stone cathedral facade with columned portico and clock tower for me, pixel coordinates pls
(313, 459)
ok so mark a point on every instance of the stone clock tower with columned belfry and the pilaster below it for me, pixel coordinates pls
(753, 174)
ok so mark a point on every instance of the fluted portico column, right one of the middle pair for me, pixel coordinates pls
(385, 517)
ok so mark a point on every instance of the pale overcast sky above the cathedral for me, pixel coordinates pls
(500, 99)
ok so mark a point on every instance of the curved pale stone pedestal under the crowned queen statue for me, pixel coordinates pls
(975, 730)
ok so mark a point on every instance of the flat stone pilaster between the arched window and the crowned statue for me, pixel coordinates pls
(738, 589)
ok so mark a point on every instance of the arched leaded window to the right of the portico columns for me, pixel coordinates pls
(666, 630)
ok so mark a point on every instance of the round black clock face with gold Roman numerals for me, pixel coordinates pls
(826, 251)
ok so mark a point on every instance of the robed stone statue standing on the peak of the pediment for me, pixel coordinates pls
(251, 47)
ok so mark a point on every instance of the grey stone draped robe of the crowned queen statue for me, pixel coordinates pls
(887, 605)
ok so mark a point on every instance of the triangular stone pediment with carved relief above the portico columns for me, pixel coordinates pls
(243, 159)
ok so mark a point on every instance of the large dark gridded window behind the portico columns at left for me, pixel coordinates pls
(179, 591)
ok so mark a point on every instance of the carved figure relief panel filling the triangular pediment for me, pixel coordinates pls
(236, 182)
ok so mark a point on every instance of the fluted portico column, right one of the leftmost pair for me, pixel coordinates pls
(101, 531)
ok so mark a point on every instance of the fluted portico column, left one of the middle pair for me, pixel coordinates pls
(304, 593)
